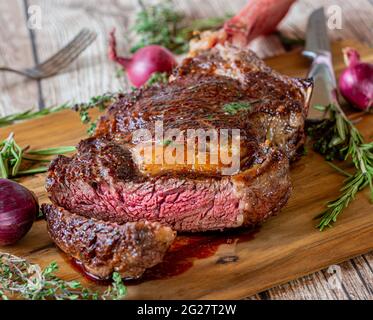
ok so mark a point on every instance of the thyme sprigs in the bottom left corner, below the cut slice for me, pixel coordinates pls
(22, 279)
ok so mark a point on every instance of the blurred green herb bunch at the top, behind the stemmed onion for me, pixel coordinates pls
(161, 24)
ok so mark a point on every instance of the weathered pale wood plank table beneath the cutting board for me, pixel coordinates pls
(92, 74)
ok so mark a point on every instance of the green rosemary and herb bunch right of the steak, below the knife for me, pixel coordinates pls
(337, 138)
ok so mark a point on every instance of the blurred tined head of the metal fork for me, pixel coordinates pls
(83, 39)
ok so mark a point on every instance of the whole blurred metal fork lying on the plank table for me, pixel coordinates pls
(60, 60)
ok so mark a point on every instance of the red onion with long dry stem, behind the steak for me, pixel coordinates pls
(144, 62)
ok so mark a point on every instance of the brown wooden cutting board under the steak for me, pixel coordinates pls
(286, 247)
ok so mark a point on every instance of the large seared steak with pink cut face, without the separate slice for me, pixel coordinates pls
(223, 88)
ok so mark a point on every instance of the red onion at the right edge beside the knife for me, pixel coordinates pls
(356, 81)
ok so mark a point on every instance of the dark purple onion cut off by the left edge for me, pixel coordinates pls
(18, 210)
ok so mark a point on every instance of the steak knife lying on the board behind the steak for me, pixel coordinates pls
(317, 49)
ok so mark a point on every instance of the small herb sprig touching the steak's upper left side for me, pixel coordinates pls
(101, 102)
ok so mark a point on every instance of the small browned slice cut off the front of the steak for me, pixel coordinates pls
(105, 247)
